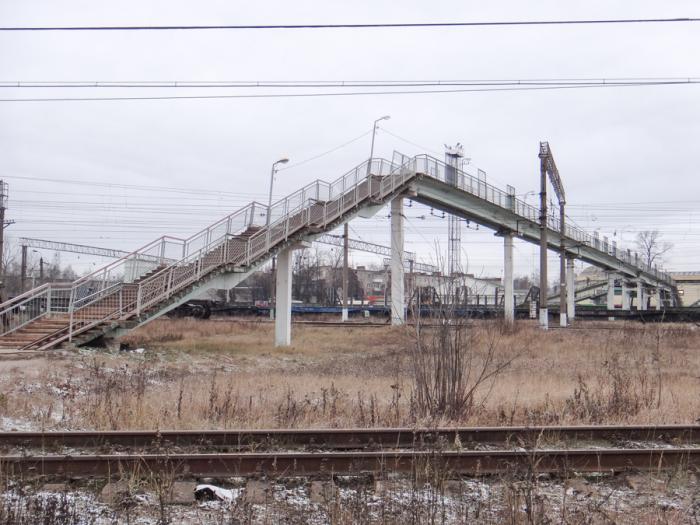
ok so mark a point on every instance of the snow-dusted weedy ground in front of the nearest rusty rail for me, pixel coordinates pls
(631, 499)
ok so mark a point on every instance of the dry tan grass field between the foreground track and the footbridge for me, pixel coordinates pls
(208, 374)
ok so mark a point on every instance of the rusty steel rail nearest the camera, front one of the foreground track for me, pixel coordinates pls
(329, 463)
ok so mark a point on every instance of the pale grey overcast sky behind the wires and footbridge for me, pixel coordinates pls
(628, 157)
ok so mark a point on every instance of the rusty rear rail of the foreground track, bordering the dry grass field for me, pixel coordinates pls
(349, 439)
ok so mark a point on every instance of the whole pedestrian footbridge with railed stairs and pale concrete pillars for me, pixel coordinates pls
(170, 271)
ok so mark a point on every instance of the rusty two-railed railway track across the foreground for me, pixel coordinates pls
(351, 451)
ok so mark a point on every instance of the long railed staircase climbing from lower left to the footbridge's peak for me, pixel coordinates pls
(130, 290)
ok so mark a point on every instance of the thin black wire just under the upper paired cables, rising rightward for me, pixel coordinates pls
(353, 93)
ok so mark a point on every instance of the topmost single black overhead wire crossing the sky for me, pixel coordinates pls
(493, 23)
